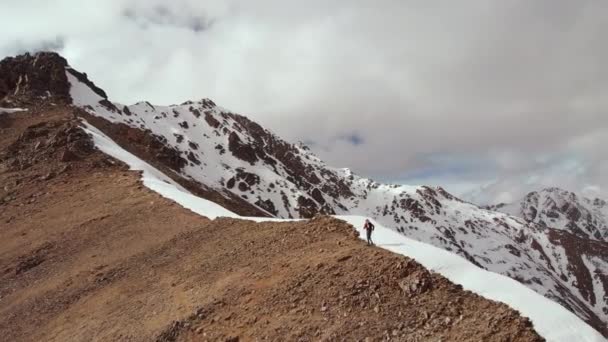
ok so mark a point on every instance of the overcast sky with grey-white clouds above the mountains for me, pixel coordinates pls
(488, 98)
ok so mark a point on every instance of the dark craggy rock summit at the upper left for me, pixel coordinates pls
(26, 79)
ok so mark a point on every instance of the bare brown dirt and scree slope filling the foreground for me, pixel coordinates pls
(89, 254)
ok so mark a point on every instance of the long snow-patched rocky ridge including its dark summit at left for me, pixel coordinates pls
(235, 162)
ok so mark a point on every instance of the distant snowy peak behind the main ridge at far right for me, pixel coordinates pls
(561, 209)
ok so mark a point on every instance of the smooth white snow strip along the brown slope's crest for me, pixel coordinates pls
(559, 325)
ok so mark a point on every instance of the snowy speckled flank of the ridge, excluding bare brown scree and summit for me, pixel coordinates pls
(228, 152)
